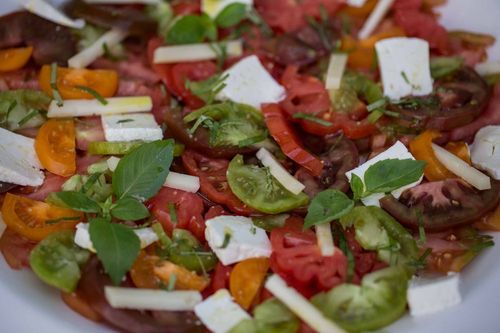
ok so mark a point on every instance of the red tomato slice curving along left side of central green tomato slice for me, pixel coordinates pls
(213, 180)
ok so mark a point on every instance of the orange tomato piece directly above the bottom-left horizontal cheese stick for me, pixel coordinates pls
(184, 278)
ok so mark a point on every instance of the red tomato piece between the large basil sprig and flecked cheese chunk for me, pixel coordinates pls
(189, 209)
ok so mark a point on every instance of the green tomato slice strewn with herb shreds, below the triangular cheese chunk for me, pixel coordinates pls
(230, 124)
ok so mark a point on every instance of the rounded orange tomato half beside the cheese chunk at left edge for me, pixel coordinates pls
(56, 148)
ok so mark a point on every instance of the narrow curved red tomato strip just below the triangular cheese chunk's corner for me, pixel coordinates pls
(282, 132)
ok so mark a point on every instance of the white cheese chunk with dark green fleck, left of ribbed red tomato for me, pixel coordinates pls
(245, 240)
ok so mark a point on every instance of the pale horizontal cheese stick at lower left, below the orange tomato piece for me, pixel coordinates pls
(149, 299)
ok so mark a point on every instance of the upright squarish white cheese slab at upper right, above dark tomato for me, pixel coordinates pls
(404, 66)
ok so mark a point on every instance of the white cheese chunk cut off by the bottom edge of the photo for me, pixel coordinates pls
(220, 313)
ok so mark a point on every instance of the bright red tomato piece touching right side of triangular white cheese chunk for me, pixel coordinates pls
(305, 94)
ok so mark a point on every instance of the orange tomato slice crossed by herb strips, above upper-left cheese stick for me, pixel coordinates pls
(104, 82)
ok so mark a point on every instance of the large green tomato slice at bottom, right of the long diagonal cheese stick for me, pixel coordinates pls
(377, 302)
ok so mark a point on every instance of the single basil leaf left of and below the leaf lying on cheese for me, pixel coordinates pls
(327, 206)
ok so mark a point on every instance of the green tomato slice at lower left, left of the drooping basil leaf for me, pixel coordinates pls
(56, 260)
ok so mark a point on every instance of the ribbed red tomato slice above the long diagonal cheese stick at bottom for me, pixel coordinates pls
(297, 258)
